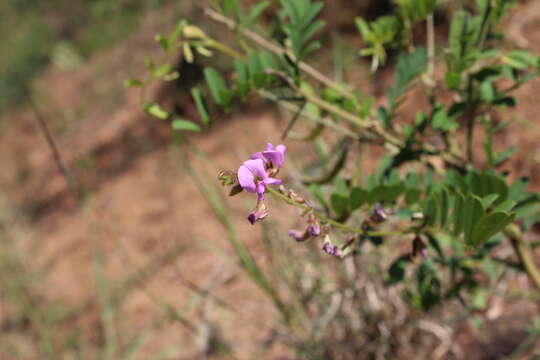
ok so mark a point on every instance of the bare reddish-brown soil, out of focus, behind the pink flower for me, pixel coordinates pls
(140, 203)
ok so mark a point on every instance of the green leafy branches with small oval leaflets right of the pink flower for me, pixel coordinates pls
(428, 180)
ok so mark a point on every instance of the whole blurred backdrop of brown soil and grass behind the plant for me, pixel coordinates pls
(132, 257)
